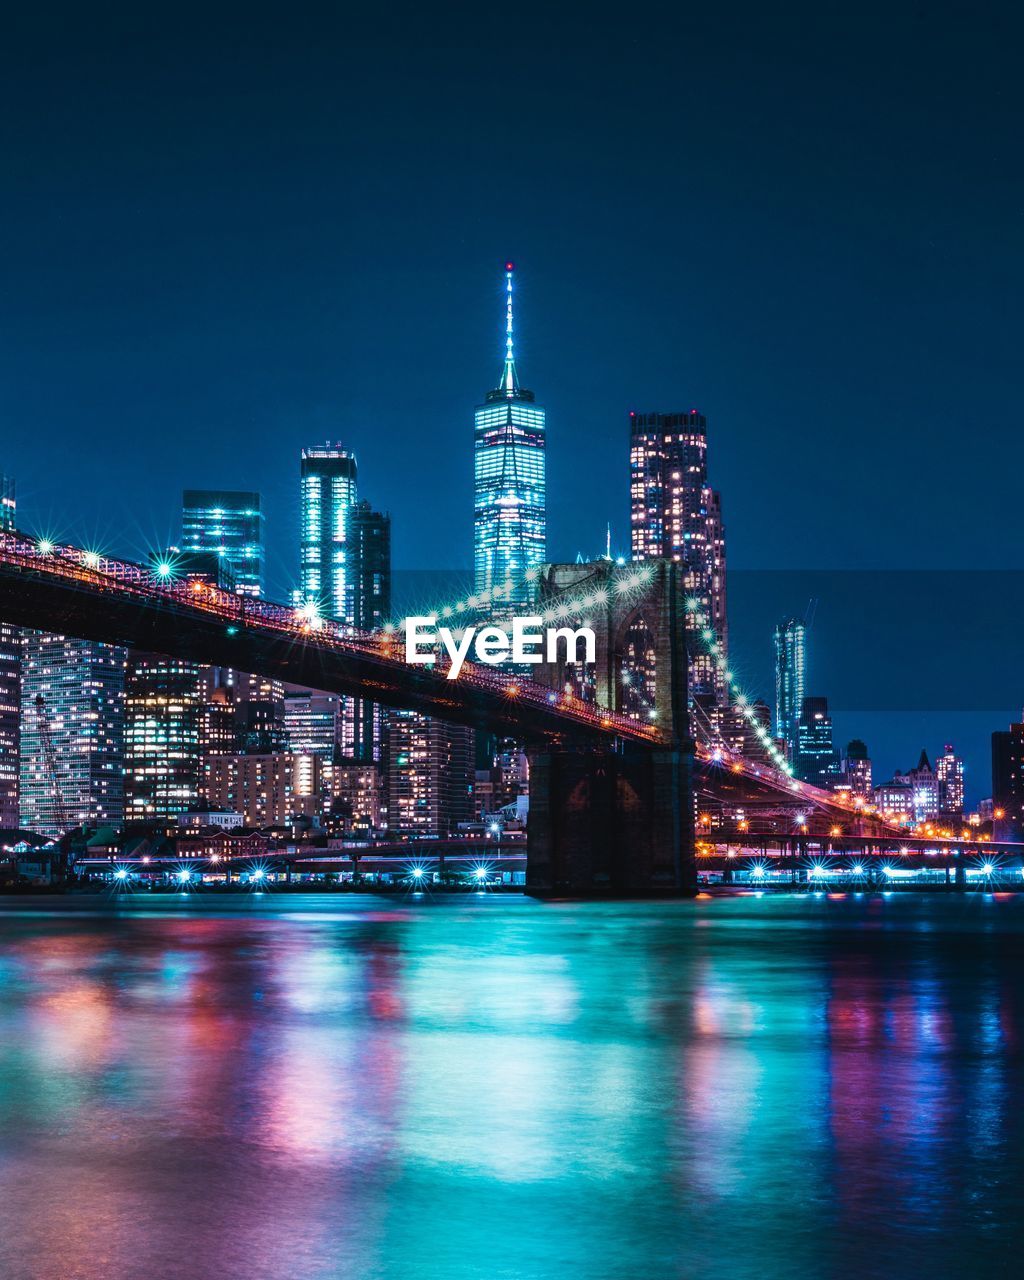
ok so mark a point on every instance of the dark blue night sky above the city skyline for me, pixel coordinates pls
(226, 237)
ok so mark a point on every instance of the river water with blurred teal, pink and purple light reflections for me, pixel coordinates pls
(796, 1087)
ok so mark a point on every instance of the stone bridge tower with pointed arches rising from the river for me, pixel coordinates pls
(618, 821)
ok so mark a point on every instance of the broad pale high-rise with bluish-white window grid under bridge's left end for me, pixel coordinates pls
(72, 758)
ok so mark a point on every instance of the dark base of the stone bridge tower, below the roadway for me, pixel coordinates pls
(611, 824)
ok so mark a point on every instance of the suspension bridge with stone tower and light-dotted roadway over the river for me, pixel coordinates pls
(620, 796)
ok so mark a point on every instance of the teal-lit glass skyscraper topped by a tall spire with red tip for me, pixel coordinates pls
(510, 488)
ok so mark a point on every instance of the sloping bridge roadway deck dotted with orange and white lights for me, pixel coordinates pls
(80, 593)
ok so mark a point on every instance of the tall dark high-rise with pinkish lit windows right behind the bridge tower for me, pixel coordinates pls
(676, 515)
